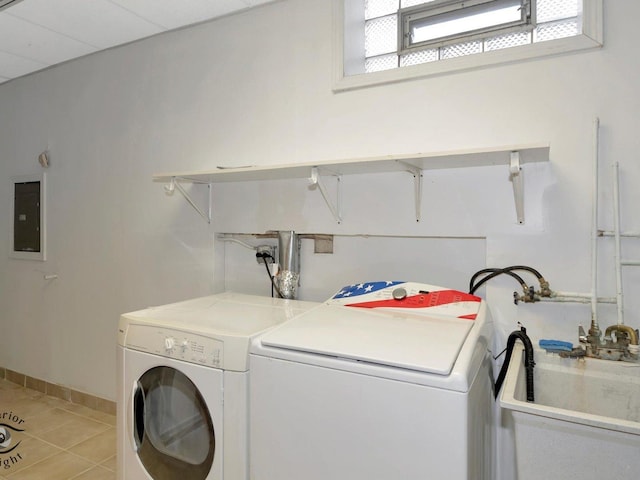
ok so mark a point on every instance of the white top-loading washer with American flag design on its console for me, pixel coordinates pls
(396, 386)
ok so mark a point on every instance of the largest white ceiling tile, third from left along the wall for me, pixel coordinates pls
(99, 23)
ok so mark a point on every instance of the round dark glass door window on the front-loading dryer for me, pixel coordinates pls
(173, 429)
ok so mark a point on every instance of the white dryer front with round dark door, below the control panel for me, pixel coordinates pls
(174, 419)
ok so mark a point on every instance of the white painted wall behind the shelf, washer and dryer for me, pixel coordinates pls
(212, 95)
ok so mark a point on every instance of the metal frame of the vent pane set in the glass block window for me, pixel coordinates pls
(440, 11)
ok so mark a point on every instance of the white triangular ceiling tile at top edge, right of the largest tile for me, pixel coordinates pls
(172, 14)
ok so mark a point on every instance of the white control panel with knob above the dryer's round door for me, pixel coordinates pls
(172, 343)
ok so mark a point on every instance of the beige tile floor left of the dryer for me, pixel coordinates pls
(59, 441)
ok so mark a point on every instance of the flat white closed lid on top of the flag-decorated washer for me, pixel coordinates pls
(417, 342)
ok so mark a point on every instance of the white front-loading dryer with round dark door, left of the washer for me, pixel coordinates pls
(182, 385)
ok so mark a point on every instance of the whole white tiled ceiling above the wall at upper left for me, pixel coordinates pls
(35, 34)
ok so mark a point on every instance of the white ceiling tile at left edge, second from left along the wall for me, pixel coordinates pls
(36, 43)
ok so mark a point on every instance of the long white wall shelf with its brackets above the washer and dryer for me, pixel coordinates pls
(513, 157)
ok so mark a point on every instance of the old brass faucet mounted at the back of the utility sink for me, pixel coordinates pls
(625, 347)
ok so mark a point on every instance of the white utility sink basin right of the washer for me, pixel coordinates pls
(584, 423)
